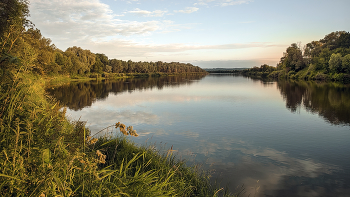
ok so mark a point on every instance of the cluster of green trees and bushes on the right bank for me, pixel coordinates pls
(326, 59)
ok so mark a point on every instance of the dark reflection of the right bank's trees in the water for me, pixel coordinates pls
(331, 101)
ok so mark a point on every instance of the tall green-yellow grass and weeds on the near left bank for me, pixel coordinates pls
(44, 154)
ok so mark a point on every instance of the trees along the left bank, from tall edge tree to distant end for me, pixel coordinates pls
(20, 41)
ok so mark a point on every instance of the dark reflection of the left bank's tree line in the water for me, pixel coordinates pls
(77, 95)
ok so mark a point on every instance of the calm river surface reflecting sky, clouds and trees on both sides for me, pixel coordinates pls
(276, 138)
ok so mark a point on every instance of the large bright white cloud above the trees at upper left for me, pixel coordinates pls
(81, 19)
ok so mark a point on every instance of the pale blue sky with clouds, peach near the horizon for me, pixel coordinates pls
(205, 33)
